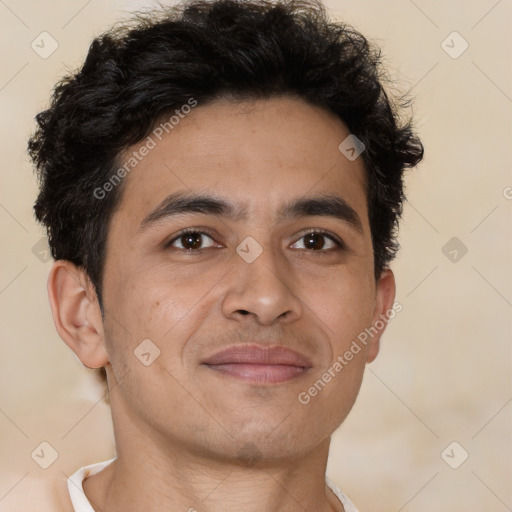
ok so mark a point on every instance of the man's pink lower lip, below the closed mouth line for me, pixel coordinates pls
(259, 373)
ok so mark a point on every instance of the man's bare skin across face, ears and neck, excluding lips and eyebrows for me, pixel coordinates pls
(180, 426)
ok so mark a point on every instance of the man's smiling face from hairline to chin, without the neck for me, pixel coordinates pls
(253, 272)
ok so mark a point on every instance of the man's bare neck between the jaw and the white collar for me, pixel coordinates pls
(156, 471)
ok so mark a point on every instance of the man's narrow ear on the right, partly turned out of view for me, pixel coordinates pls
(384, 299)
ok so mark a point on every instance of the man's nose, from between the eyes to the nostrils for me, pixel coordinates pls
(262, 291)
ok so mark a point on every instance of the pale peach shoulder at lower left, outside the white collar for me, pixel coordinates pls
(36, 494)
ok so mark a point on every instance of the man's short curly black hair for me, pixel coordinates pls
(142, 70)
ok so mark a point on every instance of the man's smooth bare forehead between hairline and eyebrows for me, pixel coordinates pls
(258, 153)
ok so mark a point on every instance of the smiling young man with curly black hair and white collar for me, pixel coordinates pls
(221, 183)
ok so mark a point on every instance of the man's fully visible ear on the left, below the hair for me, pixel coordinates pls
(76, 313)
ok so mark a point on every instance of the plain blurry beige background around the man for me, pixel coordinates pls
(444, 372)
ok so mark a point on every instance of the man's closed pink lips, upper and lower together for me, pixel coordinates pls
(259, 364)
